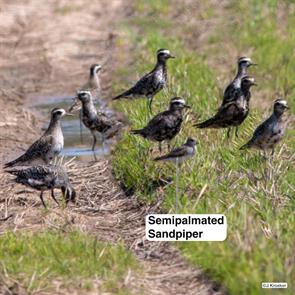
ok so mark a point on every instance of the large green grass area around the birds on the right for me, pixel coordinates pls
(257, 197)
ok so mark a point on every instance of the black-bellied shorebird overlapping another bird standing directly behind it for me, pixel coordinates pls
(234, 112)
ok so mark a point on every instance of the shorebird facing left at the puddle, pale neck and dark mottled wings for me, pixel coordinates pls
(95, 122)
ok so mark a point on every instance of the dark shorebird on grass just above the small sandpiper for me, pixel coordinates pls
(165, 125)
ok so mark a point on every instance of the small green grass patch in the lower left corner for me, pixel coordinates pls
(35, 260)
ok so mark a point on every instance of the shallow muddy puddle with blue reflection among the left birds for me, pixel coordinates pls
(71, 129)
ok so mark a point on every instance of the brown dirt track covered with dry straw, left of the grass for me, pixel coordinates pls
(46, 48)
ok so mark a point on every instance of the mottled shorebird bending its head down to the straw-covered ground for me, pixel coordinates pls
(44, 178)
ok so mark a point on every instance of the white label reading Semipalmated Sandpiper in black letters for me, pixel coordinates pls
(186, 227)
